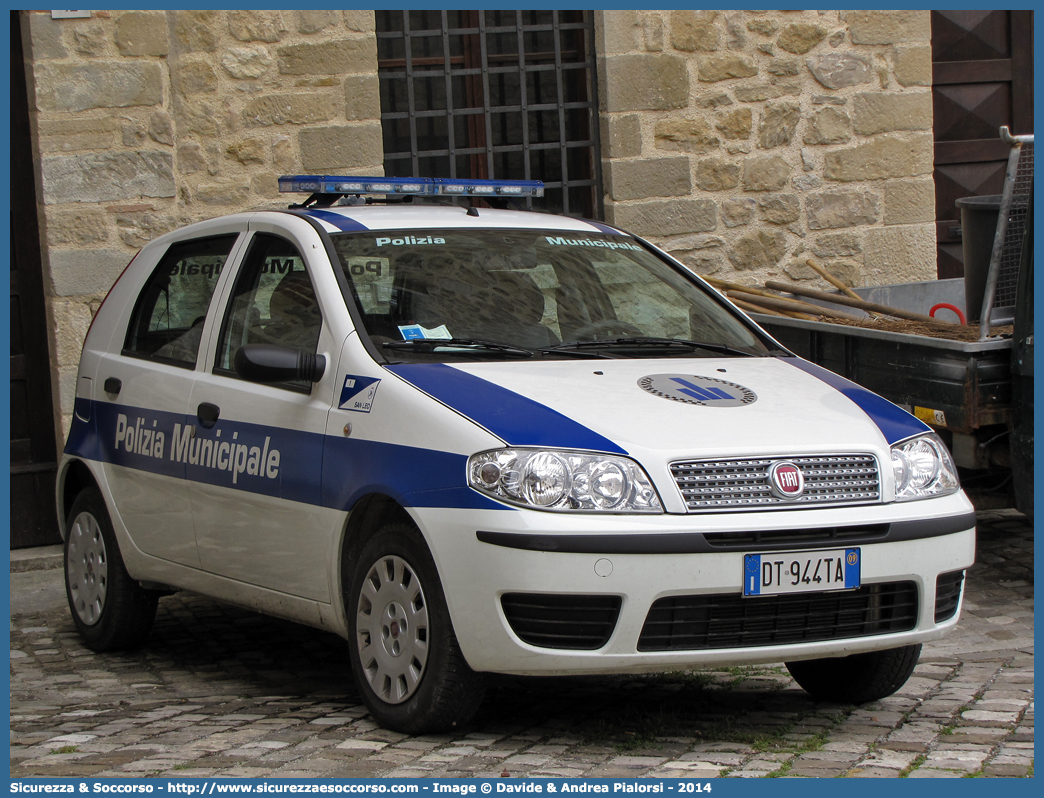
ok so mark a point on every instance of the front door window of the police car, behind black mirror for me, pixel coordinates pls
(273, 302)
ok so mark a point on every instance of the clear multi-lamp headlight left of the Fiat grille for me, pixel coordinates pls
(563, 481)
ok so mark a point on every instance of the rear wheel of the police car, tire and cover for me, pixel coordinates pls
(111, 612)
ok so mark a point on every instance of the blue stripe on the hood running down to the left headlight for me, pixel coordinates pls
(512, 417)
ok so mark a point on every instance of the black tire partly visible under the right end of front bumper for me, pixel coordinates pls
(859, 678)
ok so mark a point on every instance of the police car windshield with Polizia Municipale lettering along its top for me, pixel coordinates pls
(449, 294)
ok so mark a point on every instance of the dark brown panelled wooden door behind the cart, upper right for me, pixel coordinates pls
(983, 78)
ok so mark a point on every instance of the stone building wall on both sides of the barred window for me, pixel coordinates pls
(743, 143)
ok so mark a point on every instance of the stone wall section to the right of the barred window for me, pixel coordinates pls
(746, 143)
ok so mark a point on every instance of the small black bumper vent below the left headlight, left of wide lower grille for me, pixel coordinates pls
(553, 621)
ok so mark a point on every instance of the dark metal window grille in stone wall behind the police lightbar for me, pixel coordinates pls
(485, 95)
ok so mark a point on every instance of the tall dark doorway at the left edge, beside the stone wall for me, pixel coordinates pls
(33, 445)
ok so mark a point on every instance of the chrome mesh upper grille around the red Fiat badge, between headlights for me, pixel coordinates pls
(742, 484)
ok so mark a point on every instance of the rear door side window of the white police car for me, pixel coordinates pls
(170, 315)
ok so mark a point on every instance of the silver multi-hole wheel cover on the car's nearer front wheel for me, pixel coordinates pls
(392, 629)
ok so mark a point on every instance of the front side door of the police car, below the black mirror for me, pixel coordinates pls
(255, 466)
